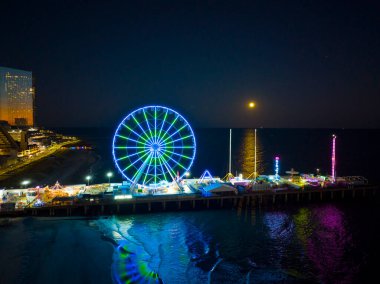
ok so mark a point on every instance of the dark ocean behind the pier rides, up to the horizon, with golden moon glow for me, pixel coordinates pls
(305, 150)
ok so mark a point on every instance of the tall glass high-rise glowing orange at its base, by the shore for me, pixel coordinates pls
(16, 97)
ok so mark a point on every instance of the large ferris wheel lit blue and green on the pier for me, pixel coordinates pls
(153, 144)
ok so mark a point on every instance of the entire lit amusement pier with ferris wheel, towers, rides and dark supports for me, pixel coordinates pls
(153, 149)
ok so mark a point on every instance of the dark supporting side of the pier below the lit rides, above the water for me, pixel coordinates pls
(148, 204)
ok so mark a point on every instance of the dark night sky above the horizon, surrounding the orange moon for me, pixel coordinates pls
(304, 63)
